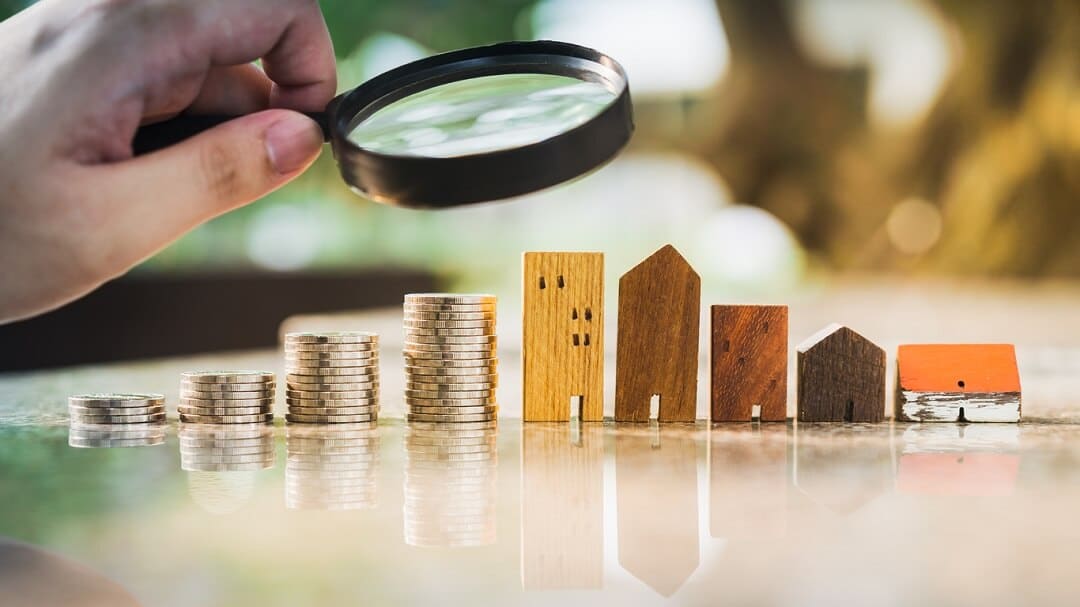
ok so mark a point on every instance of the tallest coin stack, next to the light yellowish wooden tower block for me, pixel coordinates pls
(451, 365)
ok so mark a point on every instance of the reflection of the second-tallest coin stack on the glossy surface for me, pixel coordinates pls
(331, 468)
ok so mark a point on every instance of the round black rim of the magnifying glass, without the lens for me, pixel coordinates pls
(438, 183)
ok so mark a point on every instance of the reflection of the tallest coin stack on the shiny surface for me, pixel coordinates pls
(451, 477)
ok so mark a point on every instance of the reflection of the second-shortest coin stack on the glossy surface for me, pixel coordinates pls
(220, 449)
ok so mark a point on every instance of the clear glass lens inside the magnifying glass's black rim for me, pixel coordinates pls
(482, 115)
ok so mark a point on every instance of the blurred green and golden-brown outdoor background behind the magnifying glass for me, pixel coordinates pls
(777, 141)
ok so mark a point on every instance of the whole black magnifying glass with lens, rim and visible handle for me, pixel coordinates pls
(467, 127)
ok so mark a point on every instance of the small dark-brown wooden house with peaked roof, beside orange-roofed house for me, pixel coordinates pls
(841, 377)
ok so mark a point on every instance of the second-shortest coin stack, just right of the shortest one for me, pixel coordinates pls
(227, 397)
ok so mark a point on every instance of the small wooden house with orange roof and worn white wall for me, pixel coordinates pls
(957, 383)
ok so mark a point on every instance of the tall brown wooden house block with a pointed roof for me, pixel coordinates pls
(657, 353)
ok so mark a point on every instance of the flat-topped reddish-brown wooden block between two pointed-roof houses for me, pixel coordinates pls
(750, 362)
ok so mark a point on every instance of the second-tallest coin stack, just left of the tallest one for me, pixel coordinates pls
(332, 377)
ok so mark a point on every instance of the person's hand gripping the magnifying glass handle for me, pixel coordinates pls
(78, 78)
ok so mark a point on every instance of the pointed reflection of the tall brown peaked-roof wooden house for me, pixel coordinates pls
(656, 482)
